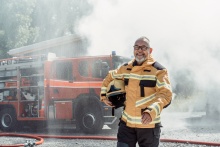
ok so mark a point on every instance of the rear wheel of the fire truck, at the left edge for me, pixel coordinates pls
(8, 120)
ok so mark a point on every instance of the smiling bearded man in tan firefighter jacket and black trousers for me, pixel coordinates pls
(148, 91)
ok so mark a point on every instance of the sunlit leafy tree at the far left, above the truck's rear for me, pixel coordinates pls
(15, 24)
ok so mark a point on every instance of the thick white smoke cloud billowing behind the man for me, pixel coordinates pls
(183, 34)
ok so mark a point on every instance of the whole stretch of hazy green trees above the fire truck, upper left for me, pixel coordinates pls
(26, 22)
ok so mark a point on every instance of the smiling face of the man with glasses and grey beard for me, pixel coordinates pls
(141, 50)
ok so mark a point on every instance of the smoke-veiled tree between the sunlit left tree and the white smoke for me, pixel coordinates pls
(56, 18)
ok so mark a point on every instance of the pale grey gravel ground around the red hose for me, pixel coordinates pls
(178, 126)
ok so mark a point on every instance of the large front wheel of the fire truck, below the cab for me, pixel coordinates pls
(89, 116)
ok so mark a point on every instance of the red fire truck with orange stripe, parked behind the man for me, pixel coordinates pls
(39, 90)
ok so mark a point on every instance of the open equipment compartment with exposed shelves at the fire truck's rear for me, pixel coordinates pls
(22, 81)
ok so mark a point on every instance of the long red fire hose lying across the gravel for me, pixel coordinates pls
(41, 140)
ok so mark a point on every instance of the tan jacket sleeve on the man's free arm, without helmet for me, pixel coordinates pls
(163, 94)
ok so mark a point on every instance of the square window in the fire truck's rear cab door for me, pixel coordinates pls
(64, 71)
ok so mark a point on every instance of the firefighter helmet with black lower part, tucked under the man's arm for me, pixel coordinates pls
(116, 93)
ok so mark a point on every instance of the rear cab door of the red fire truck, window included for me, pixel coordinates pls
(61, 90)
